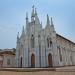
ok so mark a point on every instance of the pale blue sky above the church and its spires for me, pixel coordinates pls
(12, 18)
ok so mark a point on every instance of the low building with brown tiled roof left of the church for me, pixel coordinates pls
(7, 58)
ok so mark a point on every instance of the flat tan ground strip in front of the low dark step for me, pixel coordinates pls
(36, 73)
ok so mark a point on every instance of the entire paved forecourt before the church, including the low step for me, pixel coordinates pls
(38, 71)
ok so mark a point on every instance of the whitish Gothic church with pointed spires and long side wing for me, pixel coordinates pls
(43, 47)
